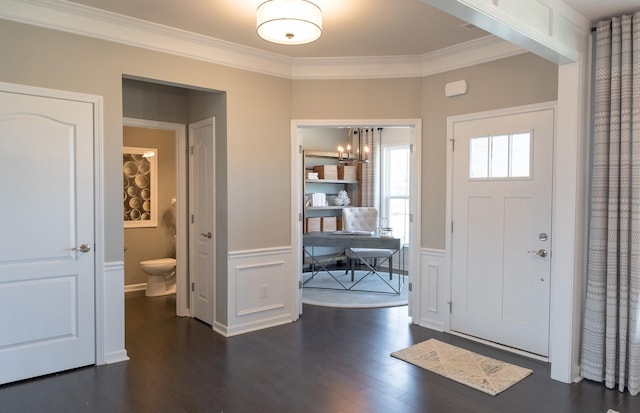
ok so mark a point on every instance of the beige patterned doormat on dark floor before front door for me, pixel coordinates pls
(474, 370)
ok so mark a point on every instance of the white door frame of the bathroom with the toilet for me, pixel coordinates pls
(182, 254)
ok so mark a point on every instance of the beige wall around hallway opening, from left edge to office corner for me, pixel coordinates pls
(257, 120)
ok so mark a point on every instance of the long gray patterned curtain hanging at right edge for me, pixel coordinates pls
(611, 330)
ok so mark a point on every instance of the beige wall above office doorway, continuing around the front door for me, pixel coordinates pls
(514, 81)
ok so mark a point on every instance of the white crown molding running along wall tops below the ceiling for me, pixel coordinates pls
(91, 22)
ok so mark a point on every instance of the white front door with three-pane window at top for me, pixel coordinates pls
(501, 241)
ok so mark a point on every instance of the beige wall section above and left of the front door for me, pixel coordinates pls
(519, 80)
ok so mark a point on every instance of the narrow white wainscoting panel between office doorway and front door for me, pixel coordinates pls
(435, 289)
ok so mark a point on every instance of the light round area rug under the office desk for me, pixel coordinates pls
(371, 292)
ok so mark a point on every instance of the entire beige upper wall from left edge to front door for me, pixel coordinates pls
(253, 122)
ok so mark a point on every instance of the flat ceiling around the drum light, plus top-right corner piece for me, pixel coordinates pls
(351, 28)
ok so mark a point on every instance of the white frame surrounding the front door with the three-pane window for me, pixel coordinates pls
(445, 293)
